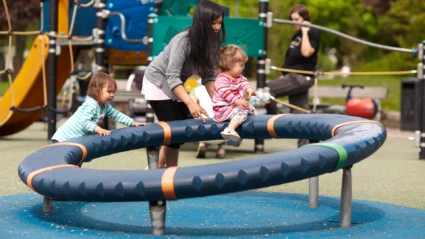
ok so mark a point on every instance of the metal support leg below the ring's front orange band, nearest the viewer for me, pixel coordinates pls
(157, 209)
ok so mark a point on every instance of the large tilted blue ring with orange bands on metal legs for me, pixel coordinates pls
(54, 171)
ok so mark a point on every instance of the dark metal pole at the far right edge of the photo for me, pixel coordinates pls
(422, 102)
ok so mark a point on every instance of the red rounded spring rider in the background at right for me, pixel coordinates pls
(365, 108)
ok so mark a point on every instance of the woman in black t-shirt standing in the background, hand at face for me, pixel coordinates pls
(300, 55)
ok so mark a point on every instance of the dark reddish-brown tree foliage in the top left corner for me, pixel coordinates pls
(24, 16)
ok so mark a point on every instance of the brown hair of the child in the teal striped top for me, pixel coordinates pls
(97, 82)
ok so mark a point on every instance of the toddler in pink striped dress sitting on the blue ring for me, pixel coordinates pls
(230, 88)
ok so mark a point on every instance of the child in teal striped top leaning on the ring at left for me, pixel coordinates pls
(90, 115)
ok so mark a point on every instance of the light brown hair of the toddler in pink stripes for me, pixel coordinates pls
(230, 55)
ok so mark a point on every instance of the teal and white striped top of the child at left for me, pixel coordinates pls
(86, 118)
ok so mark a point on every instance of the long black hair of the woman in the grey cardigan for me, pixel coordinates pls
(203, 41)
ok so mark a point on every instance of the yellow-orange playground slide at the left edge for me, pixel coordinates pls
(28, 87)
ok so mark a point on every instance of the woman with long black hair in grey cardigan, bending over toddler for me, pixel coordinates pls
(192, 51)
